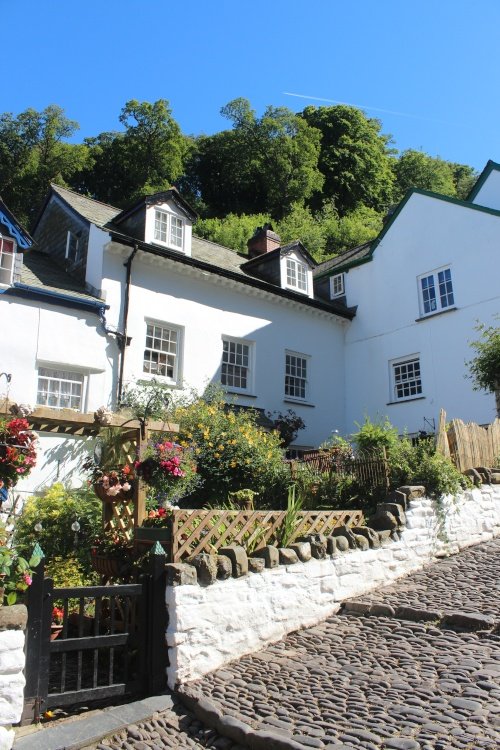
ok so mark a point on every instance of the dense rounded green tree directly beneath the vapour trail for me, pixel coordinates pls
(355, 158)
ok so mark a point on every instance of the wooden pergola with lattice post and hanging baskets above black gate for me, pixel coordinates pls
(125, 516)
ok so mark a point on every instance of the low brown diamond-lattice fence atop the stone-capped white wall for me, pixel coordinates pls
(195, 531)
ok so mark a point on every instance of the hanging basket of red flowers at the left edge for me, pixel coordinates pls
(17, 451)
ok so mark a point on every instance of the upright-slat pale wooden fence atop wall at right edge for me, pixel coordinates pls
(468, 444)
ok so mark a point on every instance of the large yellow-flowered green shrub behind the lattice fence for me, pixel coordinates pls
(231, 450)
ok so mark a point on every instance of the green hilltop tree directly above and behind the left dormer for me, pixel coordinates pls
(147, 157)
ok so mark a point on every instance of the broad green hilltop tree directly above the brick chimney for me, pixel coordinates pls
(262, 165)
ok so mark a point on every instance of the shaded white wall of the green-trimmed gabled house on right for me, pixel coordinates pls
(428, 233)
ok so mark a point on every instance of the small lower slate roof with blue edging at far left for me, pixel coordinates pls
(40, 272)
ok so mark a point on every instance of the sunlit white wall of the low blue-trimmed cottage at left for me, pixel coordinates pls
(34, 334)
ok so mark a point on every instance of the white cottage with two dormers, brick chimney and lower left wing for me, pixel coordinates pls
(109, 297)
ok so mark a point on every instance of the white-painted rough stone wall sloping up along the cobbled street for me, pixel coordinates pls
(210, 626)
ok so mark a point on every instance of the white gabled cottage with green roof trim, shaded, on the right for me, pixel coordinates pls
(419, 290)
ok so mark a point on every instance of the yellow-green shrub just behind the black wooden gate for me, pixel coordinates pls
(56, 510)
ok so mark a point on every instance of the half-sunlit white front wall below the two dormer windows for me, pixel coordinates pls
(207, 307)
